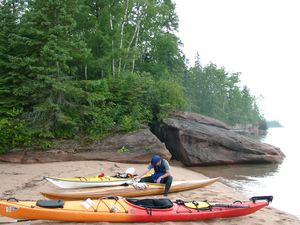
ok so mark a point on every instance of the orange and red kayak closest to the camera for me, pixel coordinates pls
(116, 209)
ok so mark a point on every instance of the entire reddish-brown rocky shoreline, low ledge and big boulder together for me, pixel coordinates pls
(193, 139)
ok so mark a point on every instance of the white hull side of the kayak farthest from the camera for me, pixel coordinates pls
(85, 184)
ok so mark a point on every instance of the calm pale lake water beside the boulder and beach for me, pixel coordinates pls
(281, 181)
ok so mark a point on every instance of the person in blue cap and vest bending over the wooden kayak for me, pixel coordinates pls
(161, 174)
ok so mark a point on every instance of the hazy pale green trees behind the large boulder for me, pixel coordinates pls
(215, 93)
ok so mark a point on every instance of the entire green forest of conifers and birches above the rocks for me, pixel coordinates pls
(85, 69)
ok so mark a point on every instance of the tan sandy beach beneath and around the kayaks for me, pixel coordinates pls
(25, 181)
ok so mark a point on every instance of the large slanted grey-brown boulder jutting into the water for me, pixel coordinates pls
(198, 140)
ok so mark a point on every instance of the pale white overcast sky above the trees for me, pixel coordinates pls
(259, 38)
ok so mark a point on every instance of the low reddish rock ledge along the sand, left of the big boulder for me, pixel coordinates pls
(136, 147)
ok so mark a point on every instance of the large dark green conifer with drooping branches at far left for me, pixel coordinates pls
(49, 53)
